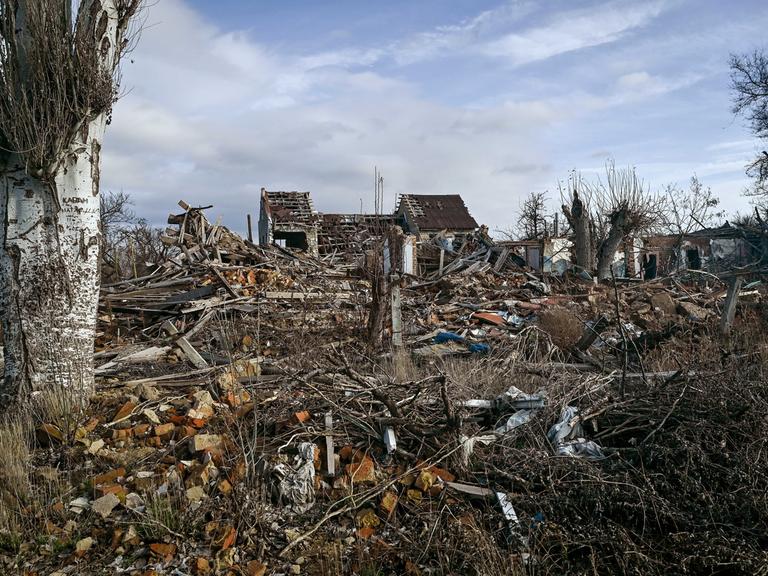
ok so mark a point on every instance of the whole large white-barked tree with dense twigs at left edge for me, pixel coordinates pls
(59, 75)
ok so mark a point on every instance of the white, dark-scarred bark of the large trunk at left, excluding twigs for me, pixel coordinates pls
(49, 247)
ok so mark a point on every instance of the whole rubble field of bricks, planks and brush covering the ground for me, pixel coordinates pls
(243, 424)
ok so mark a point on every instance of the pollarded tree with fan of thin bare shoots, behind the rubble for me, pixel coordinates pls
(605, 213)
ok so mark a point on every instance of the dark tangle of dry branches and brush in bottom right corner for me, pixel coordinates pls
(682, 490)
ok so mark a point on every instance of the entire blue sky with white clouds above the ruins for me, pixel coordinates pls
(488, 99)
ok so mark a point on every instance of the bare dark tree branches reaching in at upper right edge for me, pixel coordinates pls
(749, 83)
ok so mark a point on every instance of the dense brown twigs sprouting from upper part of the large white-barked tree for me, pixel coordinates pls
(56, 75)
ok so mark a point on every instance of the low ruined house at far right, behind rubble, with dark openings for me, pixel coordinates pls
(710, 249)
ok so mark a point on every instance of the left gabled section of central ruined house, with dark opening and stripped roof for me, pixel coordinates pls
(288, 219)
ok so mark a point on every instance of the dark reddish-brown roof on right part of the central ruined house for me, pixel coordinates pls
(426, 215)
